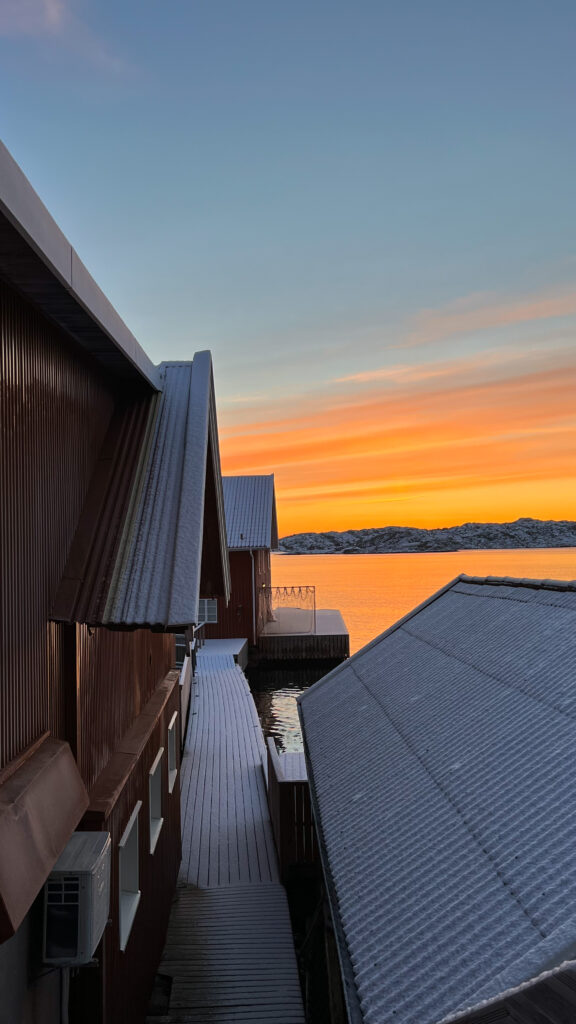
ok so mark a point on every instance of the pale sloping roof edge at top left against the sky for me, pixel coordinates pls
(26, 211)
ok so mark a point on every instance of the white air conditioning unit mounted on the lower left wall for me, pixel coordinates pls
(77, 900)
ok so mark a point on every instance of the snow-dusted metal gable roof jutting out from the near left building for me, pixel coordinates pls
(156, 581)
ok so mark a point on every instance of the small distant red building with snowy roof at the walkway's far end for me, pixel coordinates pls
(253, 534)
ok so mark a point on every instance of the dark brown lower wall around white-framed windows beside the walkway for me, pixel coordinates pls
(121, 992)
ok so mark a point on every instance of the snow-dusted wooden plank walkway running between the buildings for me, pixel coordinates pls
(229, 951)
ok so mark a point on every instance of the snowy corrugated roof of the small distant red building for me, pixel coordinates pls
(251, 513)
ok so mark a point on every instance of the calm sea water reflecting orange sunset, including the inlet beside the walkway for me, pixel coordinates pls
(374, 592)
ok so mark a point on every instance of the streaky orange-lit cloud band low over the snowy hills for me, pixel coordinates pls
(501, 426)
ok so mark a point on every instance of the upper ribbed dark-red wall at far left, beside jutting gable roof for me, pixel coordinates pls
(56, 409)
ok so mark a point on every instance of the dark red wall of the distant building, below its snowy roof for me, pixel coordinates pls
(237, 620)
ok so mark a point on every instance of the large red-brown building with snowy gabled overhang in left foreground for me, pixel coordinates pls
(113, 523)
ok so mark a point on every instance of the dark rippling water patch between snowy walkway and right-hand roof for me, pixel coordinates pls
(275, 693)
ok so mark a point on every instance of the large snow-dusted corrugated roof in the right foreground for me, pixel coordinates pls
(443, 773)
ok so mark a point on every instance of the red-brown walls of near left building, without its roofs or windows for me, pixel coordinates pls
(88, 687)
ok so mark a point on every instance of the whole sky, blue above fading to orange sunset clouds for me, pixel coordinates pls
(365, 210)
